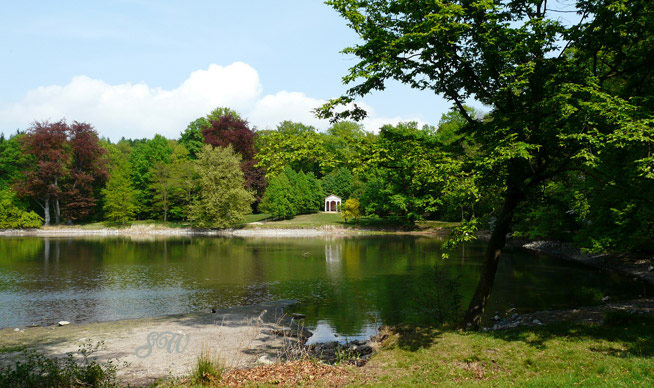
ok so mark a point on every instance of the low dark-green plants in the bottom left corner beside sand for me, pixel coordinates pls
(34, 370)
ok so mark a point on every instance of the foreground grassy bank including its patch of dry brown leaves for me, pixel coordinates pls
(617, 353)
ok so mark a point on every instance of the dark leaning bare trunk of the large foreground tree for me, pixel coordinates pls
(472, 319)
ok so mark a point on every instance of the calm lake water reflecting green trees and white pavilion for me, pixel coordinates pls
(346, 285)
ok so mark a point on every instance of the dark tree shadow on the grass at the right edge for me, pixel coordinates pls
(635, 335)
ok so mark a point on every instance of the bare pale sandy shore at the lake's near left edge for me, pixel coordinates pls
(164, 346)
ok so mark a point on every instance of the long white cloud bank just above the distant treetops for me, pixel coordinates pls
(138, 110)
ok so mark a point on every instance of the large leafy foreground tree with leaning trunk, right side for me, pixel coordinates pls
(562, 96)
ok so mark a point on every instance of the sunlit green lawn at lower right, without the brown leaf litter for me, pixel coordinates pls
(564, 355)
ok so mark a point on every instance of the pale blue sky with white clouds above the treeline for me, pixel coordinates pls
(134, 68)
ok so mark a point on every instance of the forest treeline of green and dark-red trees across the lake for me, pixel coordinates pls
(220, 169)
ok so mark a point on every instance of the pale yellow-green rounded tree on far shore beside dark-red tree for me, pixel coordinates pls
(222, 200)
